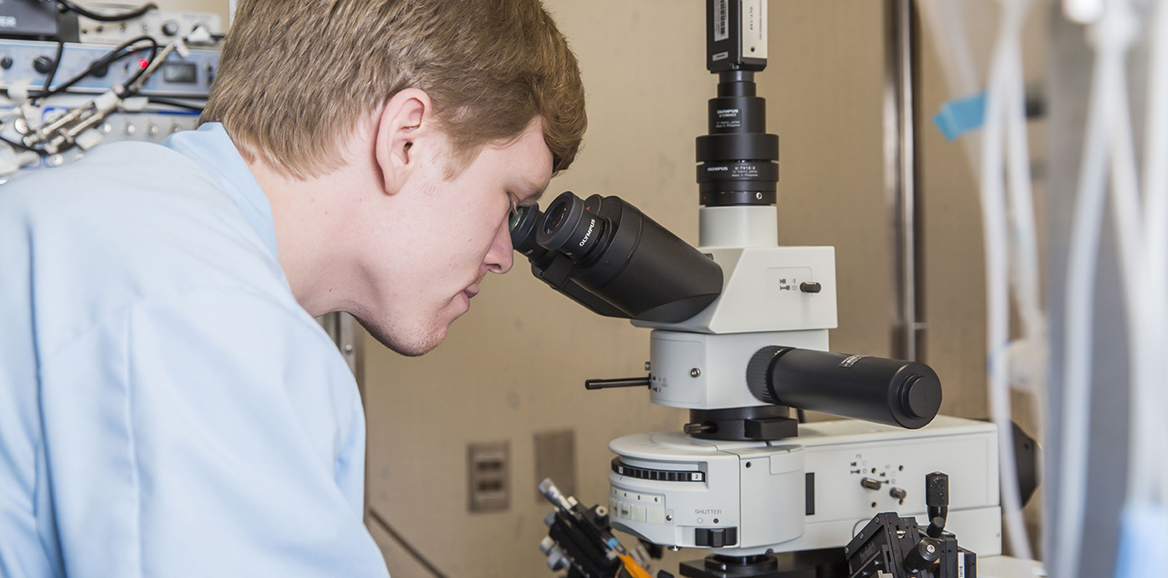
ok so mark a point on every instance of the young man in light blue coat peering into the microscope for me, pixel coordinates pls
(168, 405)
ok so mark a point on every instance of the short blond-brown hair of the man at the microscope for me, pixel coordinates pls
(297, 76)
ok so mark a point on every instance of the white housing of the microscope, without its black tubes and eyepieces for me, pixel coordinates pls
(804, 493)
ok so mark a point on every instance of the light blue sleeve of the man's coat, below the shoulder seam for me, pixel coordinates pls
(206, 434)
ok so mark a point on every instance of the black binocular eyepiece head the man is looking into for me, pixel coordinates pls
(607, 255)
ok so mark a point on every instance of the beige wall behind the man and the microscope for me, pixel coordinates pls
(516, 365)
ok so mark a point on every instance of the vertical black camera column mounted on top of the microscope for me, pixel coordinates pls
(738, 161)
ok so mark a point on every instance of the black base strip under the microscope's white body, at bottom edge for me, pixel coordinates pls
(825, 563)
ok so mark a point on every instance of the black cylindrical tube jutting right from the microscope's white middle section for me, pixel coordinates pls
(902, 394)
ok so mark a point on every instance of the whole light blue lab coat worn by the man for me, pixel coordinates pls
(168, 409)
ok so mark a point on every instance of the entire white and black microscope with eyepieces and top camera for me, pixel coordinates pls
(740, 337)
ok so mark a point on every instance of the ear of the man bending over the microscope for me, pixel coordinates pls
(405, 119)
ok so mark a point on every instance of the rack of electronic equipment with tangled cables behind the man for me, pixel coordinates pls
(65, 89)
